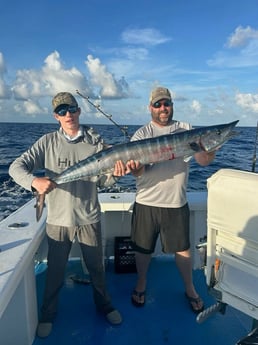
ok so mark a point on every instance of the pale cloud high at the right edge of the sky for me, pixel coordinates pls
(241, 50)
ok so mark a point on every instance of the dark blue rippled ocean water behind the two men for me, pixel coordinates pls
(15, 138)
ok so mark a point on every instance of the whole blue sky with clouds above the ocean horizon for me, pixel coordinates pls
(116, 51)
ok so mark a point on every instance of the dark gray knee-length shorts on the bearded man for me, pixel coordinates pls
(172, 224)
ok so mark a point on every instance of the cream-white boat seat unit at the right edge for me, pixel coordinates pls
(232, 239)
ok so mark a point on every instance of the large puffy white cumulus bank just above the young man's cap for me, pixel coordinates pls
(53, 77)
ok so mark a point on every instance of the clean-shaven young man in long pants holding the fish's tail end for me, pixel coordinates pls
(73, 208)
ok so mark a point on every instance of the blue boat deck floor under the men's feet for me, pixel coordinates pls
(165, 319)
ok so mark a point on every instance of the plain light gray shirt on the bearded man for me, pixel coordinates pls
(162, 184)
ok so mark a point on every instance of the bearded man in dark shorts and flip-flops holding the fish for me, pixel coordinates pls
(161, 206)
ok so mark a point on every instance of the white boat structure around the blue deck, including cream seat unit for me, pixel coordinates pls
(232, 238)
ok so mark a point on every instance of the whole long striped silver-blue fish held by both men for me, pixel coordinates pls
(147, 151)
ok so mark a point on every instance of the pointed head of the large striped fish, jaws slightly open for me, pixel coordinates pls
(214, 137)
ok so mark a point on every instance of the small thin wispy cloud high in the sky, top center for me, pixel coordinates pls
(147, 37)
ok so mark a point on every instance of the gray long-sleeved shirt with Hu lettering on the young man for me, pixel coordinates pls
(73, 203)
